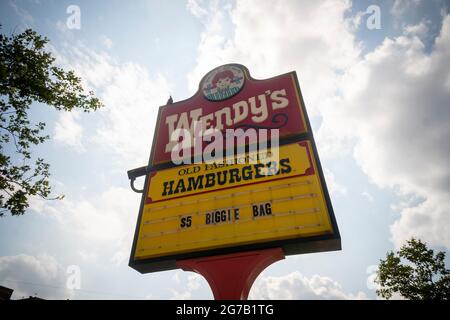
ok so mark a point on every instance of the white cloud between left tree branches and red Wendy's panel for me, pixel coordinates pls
(131, 97)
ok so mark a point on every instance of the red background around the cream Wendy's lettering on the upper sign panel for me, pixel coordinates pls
(290, 120)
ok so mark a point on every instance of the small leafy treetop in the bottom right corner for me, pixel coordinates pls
(414, 272)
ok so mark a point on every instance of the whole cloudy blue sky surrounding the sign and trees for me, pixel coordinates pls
(378, 100)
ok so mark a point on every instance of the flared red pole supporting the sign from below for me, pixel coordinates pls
(231, 276)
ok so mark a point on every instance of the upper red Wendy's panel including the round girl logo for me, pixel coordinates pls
(229, 98)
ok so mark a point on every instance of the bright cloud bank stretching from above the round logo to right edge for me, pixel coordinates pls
(387, 109)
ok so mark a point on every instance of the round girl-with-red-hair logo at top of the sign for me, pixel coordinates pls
(223, 82)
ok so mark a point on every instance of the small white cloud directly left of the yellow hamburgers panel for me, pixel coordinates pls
(103, 223)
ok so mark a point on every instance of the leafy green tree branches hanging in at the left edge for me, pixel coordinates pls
(28, 75)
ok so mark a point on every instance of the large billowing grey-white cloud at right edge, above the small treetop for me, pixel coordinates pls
(394, 106)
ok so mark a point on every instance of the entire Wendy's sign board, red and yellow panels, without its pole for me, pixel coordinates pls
(272, 197)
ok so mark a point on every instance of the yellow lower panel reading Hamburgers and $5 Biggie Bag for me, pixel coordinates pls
(210, 206)
